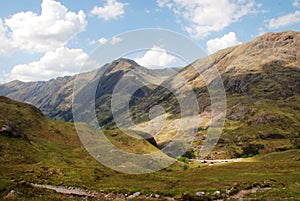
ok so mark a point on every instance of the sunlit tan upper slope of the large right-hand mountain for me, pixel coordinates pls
(282, 47)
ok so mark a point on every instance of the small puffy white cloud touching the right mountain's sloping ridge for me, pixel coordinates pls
(227, 40)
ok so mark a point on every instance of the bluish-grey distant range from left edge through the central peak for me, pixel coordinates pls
(54, 97)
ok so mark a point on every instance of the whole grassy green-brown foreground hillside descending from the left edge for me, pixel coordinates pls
(38, 151)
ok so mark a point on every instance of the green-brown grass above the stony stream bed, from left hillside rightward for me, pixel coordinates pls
(56, 157)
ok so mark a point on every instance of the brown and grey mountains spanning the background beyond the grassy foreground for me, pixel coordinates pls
(261, 79)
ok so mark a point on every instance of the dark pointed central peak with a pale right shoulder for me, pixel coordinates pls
(125, 74)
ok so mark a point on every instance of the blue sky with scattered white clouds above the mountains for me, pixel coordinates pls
(44, 39)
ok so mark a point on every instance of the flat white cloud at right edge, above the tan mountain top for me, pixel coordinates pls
(286, 20)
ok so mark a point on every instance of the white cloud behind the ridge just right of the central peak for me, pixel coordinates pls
(156, 57)
